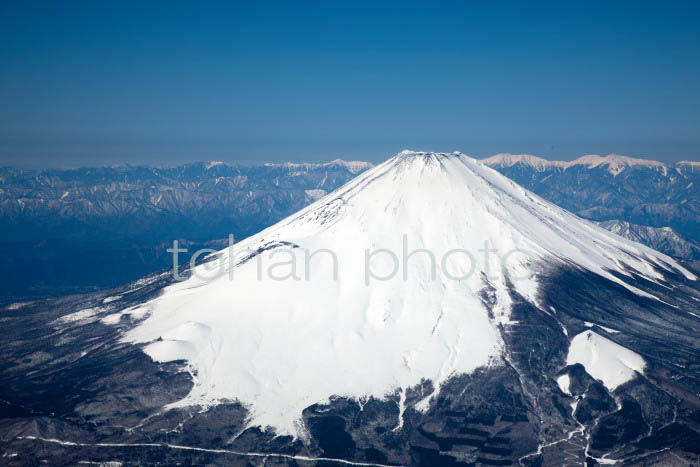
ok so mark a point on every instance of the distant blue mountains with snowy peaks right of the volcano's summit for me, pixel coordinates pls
(638, 191)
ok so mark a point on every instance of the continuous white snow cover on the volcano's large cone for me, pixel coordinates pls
(295, 336)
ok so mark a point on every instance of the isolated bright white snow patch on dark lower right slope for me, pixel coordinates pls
(604, 359)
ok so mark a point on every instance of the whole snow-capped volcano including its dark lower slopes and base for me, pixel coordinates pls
(429, 312)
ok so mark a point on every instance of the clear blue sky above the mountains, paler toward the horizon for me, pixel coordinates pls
(94, 83)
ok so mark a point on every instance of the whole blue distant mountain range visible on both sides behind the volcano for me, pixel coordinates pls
(101, 227)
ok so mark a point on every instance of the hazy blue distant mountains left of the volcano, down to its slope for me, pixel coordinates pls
(71, 231)
